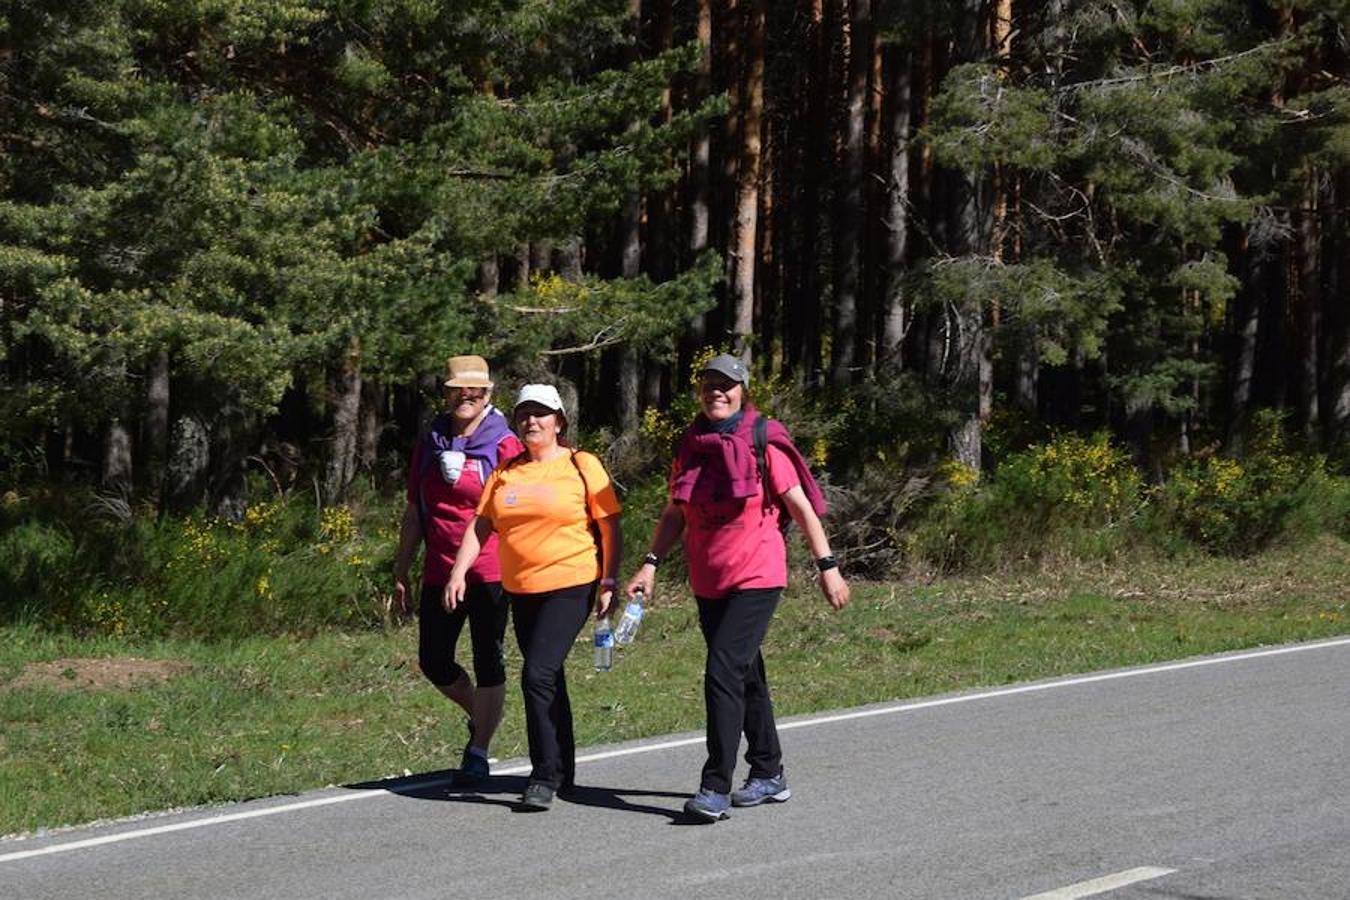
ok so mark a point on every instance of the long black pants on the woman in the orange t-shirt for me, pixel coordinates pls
(547, 627)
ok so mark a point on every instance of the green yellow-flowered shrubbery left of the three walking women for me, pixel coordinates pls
(286, 567)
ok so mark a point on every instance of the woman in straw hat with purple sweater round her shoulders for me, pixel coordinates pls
(450, 466)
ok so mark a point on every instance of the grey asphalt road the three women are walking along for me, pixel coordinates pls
(1218, 778)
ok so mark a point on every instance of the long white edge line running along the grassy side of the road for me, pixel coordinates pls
(668, 746)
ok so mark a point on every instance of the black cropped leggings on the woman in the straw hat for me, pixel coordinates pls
(438, 634)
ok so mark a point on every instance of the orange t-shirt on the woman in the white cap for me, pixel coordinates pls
(539, 515)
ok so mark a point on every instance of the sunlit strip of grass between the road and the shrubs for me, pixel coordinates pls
(267, 716)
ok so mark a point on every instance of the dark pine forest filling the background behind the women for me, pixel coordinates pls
(240, 240)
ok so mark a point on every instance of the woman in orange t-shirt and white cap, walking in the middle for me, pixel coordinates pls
(549, 507)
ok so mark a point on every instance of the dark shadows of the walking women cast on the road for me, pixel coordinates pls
(506, 790)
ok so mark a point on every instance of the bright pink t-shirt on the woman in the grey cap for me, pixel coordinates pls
(736, 546)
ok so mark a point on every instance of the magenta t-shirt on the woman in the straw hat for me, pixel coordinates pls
(449, 509)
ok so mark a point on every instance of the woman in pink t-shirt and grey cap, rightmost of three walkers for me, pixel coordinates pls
(738, 567)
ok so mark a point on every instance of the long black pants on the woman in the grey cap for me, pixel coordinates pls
(735, 689)
